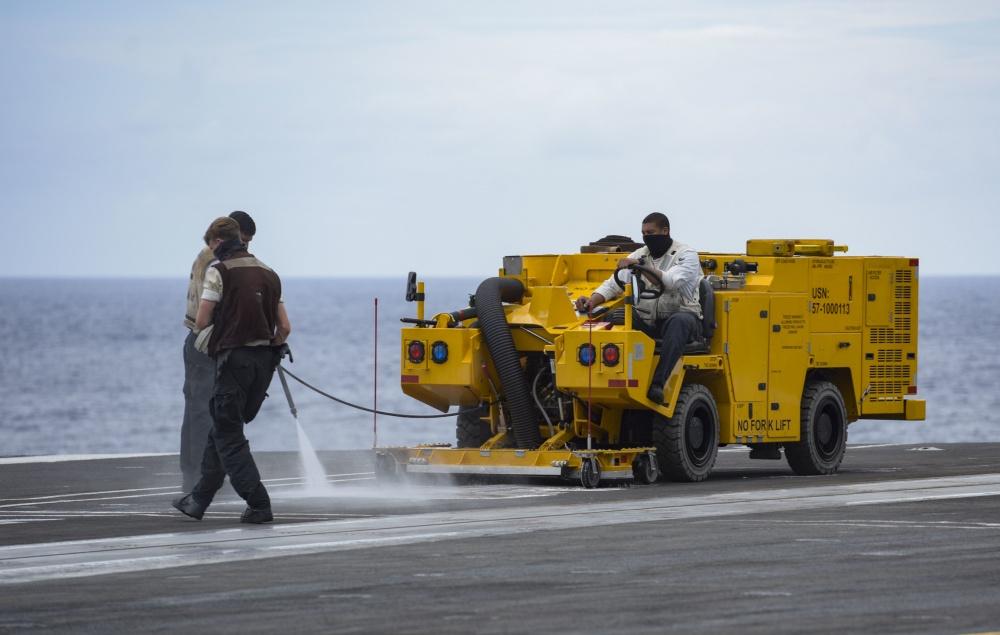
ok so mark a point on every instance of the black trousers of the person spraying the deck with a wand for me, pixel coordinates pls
(242, 378)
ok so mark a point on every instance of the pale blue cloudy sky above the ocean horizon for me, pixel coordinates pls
(373, 138)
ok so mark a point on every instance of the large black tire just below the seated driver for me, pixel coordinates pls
(688, 443)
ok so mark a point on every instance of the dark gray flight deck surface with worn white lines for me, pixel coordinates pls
(88, 540)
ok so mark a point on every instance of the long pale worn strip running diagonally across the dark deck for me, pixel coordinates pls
(81, 558)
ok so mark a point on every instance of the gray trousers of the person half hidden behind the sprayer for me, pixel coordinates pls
(199, 386)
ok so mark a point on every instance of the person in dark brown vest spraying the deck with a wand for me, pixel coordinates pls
(242, 303)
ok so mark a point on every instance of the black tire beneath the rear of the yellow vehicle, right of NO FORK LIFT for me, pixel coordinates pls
(823, 438)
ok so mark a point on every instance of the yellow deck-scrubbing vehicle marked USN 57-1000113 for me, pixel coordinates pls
(796, 343)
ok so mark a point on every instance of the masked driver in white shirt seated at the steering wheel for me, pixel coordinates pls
(673, 318)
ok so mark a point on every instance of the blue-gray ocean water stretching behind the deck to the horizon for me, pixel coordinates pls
(95, 365)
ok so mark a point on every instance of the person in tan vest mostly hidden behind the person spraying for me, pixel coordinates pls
(199, 368)
